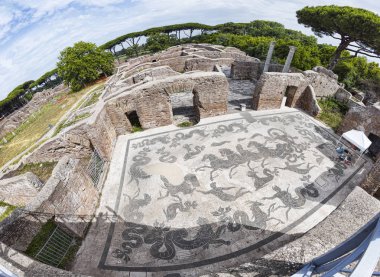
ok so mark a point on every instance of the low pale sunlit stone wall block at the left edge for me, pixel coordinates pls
(20, 190)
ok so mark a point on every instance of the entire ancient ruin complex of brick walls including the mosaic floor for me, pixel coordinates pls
(254, 173)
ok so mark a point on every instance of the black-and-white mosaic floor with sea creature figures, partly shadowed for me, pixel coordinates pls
(190, 197)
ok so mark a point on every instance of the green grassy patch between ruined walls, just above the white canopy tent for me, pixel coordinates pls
(332, 113)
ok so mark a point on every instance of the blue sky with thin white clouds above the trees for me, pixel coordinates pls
(33, 32)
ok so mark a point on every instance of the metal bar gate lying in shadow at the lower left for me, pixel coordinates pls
(55, 248)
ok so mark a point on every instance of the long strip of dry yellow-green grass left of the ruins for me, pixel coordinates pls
(38, 123)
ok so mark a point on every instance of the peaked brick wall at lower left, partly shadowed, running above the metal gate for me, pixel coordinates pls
(69, 195)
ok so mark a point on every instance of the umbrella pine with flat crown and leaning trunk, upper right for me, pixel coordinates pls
(357, 29)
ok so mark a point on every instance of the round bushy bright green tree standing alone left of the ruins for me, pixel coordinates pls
(82, 64)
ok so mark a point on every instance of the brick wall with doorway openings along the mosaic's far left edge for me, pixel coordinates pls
(151, 101)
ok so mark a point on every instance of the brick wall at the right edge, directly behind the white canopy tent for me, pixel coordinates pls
(366, 119)
